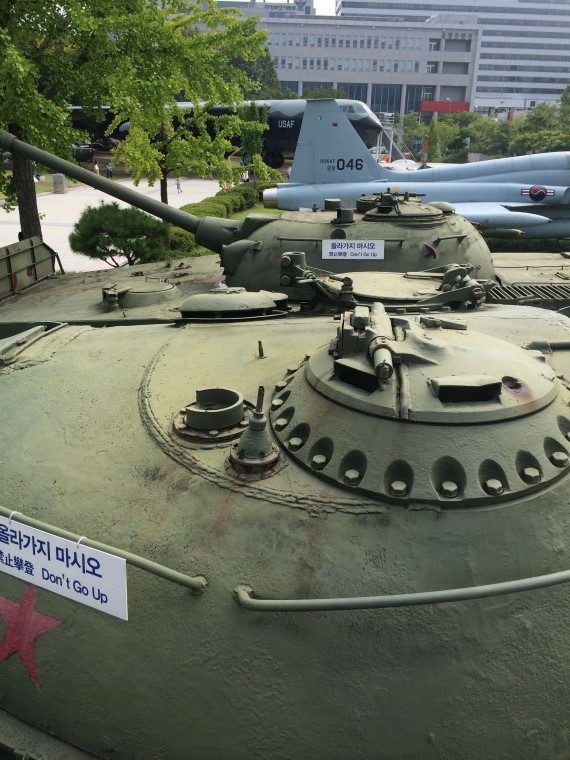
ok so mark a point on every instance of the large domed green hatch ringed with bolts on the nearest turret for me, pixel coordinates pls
(424, 410)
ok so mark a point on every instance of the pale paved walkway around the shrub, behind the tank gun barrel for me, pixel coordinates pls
(60, 211)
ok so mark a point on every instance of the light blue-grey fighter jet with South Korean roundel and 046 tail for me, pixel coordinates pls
(522, 195)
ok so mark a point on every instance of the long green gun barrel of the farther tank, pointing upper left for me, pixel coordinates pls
(211, 232)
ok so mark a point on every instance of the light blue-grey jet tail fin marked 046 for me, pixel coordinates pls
(329, 150)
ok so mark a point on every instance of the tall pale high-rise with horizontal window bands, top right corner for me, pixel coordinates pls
(524, 47)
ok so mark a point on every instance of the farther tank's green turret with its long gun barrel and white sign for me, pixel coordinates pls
(384, 233)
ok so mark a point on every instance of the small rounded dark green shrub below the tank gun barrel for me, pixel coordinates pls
(111, 234)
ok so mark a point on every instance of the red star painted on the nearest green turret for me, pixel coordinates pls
(23, 626)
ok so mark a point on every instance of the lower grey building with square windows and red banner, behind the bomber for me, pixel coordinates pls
(391, 67)
